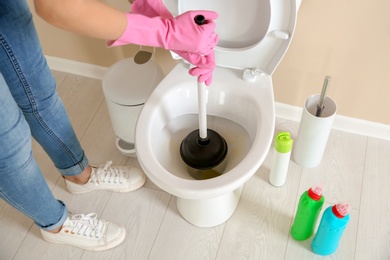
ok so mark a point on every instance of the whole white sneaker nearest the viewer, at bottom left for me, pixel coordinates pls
(87, 232)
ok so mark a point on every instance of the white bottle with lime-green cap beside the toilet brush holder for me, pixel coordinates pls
(280, 159)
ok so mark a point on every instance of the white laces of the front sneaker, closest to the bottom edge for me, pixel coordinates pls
(86, 225)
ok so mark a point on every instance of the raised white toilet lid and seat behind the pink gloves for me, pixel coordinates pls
(252, 33)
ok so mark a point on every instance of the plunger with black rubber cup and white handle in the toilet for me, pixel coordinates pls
(203, 148)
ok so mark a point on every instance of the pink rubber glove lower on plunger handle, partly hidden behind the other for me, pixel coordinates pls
(204, 64)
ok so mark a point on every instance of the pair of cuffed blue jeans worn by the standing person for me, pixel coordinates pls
(30, 106)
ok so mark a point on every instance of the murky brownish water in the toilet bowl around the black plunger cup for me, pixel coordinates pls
(166, 146)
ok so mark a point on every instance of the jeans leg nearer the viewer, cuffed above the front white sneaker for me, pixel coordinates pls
(21, 182)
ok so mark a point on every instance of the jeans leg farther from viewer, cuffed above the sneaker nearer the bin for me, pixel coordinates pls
(33, 87)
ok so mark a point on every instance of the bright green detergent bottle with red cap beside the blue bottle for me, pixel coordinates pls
(309, 208)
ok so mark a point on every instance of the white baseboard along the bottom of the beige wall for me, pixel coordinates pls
(283, 111)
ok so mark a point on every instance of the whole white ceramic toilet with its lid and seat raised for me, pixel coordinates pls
(240, 107)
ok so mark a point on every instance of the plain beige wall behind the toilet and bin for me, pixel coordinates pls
(346, 39)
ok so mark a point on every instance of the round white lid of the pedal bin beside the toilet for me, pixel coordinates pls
(130, 84)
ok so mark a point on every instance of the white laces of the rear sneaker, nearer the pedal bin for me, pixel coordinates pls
(105, 173)
